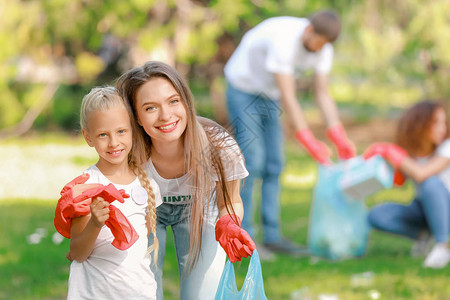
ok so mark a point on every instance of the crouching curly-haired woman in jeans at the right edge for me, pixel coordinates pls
(425, 158)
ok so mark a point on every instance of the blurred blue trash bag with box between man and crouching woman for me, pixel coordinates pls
(338, 226)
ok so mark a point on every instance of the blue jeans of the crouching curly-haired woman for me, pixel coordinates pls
(430, 210)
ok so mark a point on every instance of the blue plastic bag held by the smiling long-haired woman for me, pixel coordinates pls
(253, 287)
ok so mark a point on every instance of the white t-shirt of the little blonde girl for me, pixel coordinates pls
(110, 273)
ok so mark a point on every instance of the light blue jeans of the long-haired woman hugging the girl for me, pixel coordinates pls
(203, 280)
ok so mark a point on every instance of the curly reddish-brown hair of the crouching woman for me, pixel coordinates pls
(414, 125)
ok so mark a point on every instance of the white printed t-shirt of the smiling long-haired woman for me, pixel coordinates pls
(180, 190)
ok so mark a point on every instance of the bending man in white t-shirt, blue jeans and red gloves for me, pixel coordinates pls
(261, 75)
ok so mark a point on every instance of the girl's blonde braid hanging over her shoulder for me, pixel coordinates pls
(151, 214)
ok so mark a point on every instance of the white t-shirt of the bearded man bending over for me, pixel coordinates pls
(274, 47)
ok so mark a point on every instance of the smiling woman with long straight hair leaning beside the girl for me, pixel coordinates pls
(198, 167)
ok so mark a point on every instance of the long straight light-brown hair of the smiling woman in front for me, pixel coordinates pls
(203, 145)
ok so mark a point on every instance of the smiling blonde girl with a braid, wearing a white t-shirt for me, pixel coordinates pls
(100, 268)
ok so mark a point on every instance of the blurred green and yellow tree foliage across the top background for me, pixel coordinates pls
(390, 53)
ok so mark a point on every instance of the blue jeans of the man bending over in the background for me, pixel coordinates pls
(257, 129)
